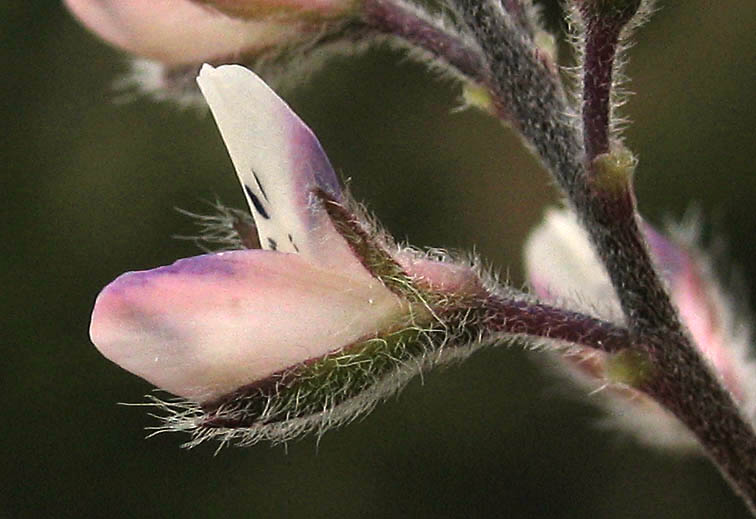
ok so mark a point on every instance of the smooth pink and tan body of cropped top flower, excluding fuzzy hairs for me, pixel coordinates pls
(186, 32)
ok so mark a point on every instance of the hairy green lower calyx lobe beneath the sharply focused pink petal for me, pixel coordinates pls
(325, 391)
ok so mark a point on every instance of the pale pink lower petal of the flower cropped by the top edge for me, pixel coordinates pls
(177, 31)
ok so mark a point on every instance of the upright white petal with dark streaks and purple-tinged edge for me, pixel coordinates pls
(279, 163)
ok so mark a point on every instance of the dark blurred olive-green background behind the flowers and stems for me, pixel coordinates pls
(88, 191)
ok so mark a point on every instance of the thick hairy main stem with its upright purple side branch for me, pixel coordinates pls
(682, 382)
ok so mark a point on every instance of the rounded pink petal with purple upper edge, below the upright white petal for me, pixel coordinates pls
(207, 325)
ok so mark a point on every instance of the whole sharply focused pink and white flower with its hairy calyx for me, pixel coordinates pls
(309, 331)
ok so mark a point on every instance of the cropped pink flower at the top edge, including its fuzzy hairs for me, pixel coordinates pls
(172, 38)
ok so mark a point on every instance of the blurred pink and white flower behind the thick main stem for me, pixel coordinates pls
(563, 267)
